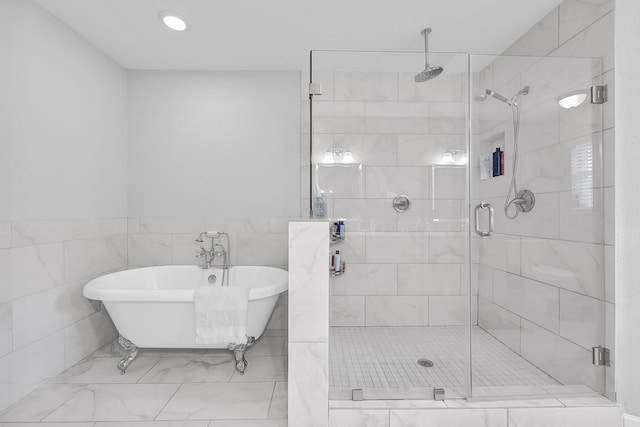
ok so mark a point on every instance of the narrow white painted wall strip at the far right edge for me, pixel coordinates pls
(627, 34)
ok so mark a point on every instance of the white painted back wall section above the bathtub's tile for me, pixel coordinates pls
(214, 144)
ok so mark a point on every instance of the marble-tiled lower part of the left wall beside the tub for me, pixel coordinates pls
(46, 325)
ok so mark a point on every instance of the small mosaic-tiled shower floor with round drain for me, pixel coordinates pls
(386, 358)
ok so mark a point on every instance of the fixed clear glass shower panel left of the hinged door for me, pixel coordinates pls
(388, 159)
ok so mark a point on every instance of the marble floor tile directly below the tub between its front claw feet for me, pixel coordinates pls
(191, 369)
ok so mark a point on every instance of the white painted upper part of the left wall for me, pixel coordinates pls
(67, 115)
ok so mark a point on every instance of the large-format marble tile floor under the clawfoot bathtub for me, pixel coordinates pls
(164, 388)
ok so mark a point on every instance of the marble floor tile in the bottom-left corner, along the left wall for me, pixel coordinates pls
(41, 402)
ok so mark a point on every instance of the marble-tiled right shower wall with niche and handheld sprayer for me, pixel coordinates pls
(546, 281)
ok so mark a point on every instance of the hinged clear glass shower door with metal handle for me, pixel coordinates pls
(538, 239)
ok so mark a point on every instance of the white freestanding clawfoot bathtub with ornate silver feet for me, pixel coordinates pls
(153, 307)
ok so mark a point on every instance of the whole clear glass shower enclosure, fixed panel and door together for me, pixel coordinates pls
(442, 293)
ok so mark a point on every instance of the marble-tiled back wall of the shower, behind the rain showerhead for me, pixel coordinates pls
(402, 268)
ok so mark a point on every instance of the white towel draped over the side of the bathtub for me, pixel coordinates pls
(221, 314)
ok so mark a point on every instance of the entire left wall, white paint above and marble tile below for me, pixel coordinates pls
(63, 148)
